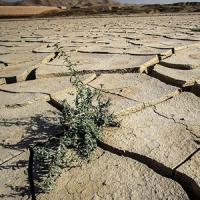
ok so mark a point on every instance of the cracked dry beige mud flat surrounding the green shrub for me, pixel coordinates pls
(150, 68)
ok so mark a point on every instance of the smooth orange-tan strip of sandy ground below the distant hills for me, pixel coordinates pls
(24, 10)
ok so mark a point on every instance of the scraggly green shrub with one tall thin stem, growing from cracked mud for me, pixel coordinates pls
(82, 124)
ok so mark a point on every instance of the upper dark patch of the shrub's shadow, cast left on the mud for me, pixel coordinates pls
(37, 129)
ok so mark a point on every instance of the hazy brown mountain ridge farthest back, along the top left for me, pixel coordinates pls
(67, 3)
